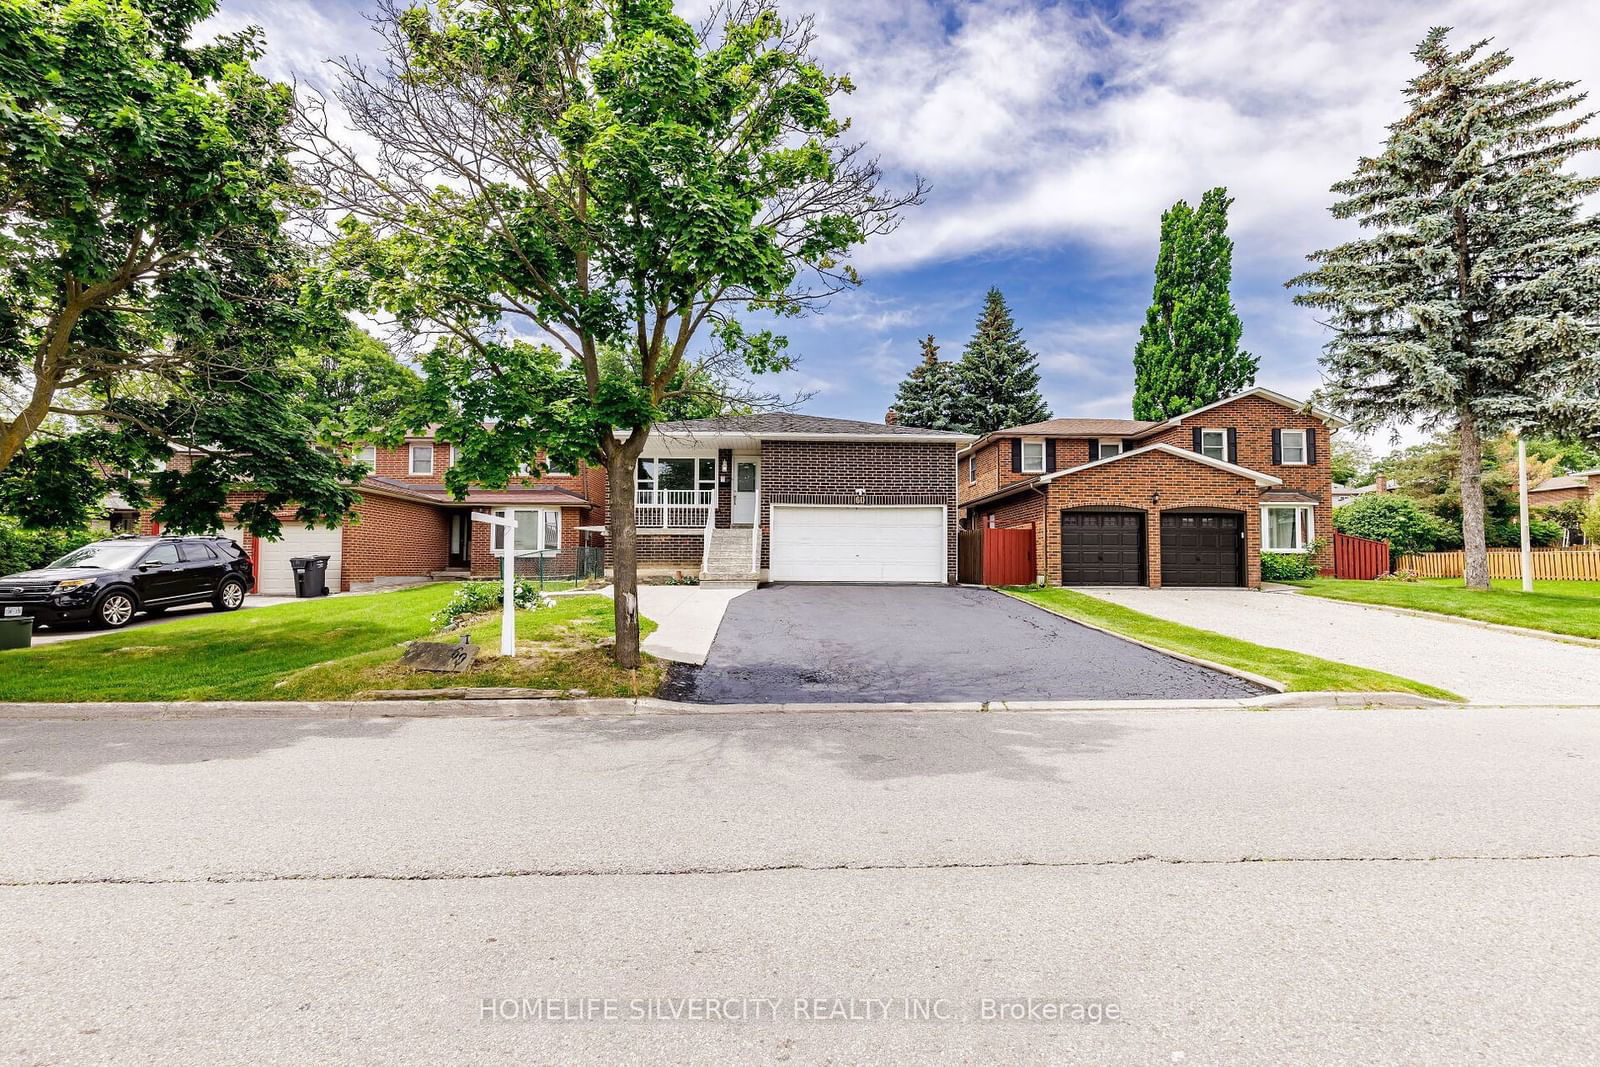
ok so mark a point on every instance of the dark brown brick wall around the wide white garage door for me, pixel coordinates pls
(892, 473)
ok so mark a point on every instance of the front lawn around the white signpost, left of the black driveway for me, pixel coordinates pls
(318, 650)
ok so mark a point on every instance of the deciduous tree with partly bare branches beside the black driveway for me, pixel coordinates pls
(596, 174)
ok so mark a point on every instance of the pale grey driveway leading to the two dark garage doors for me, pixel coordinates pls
(1484, 666)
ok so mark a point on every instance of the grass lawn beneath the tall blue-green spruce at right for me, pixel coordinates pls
(1559, 607)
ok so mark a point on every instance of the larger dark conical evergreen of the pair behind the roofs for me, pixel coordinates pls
(999, 375)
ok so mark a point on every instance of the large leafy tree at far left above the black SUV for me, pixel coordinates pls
(150, 290)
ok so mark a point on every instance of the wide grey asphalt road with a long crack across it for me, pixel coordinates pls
(1234, 887)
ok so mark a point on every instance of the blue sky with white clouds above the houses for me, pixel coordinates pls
(1054, 137)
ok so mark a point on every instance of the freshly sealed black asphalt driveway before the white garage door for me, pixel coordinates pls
(881, 644)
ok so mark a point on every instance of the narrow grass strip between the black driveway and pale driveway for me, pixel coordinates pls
(1297, 671)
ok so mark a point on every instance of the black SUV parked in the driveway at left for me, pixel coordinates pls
(108, 581)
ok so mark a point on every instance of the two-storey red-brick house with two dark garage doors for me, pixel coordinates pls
(1186, 502)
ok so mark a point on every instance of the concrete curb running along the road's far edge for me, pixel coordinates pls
(650, 706)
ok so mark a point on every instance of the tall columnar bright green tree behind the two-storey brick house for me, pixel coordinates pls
(1188, 353)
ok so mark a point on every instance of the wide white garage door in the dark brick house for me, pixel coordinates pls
(858, 545)
